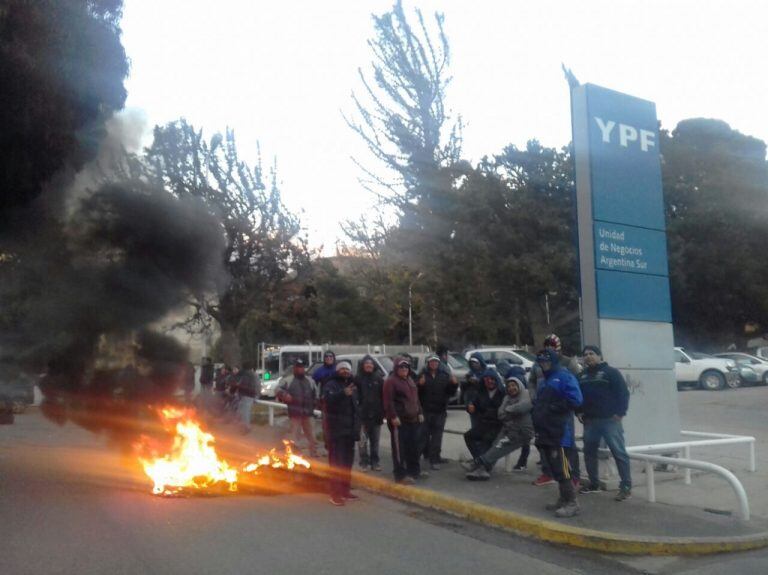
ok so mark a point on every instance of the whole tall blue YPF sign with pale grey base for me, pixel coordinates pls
(625, 301)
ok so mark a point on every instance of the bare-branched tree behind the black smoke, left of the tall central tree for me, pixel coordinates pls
(265, 253)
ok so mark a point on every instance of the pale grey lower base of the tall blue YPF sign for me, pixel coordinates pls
(643, 351)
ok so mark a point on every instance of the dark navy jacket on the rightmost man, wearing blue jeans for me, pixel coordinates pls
(605, 392)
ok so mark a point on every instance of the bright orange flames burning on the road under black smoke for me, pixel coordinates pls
(193, 464)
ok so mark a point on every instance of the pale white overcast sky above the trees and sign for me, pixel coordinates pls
(281, 75)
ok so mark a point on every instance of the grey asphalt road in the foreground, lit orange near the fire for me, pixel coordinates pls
(72, 504)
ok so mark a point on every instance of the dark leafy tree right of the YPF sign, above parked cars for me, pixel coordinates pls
(716, 196)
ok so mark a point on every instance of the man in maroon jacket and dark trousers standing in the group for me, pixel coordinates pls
(404, 415)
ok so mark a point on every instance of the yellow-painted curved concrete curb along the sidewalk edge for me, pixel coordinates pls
(553, 532)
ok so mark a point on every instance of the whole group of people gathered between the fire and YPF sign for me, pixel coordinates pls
(508, 409)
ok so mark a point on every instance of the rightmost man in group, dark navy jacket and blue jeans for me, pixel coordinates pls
(606, 400)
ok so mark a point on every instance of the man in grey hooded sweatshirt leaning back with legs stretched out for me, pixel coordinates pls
(516, 432)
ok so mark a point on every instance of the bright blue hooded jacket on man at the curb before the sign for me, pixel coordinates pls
(557, 396)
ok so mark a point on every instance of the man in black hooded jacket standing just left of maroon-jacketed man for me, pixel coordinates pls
(370, 386)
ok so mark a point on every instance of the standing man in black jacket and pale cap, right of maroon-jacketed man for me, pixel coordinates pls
(436, 387)
